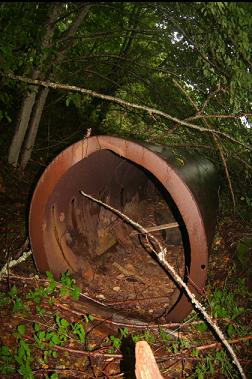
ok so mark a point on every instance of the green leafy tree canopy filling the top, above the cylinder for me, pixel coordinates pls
(190, 60)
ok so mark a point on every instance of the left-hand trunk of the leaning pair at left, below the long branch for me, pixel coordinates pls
(23, 121)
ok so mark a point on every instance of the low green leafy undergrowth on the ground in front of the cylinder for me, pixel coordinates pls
(39, 343)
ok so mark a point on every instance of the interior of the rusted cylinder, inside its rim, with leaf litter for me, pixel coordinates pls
(113, 263)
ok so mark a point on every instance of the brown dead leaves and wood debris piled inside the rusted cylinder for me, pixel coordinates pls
(126, 275)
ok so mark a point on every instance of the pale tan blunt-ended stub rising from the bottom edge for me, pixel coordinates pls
(146, 365)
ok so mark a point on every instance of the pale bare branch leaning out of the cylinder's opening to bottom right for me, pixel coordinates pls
(160, 254)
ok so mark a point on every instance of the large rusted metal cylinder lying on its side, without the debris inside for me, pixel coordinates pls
(64, 225)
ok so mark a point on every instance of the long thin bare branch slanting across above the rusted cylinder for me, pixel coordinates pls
(149, 110)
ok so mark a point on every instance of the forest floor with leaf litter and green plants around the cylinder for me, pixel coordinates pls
(45, 333)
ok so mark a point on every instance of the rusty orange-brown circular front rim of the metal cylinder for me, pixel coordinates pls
(164, 173)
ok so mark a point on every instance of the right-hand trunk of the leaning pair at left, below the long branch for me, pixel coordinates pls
(33, 127)
